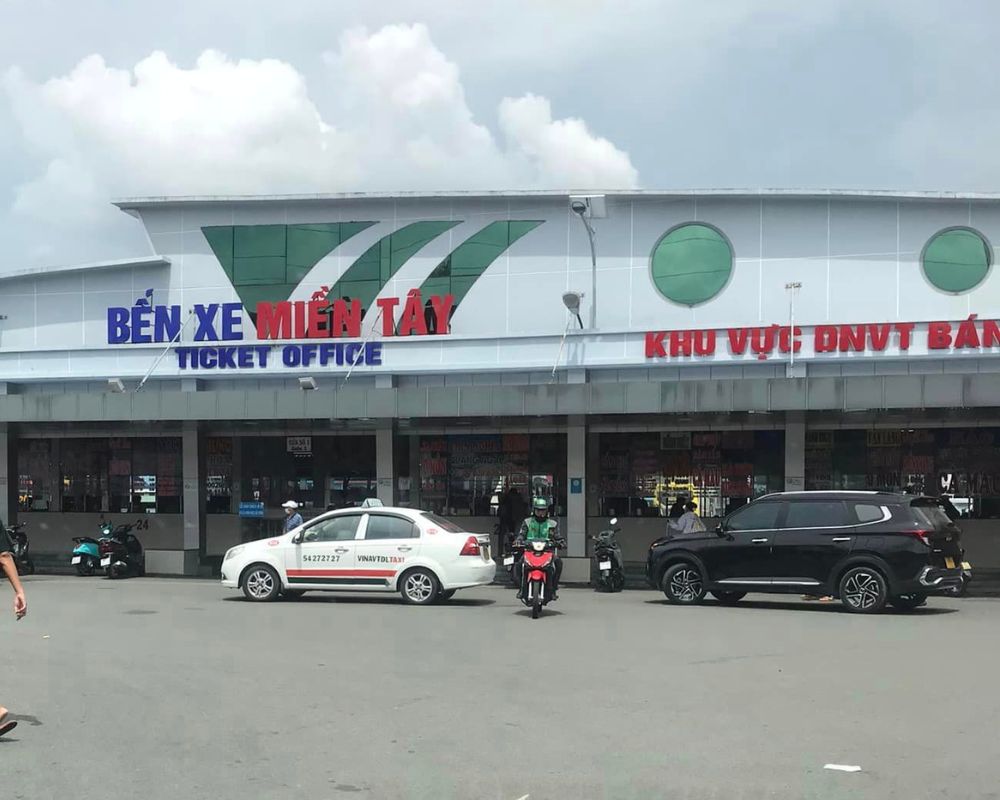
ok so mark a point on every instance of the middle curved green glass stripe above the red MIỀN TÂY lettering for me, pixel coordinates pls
(366, 277)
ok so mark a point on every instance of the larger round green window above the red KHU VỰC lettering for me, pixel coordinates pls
(691, 263)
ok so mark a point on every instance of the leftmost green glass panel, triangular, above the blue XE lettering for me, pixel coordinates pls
(266, 262)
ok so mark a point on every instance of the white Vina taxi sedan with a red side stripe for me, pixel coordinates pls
(422, 556)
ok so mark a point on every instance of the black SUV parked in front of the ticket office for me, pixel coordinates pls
(867, 548)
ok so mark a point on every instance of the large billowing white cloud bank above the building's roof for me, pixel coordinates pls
(397, 119)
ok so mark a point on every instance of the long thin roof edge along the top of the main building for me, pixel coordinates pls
(135, 203)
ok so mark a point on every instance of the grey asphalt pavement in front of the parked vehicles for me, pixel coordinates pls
(158, 688)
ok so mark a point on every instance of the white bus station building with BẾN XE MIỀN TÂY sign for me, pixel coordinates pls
(439, 350)
